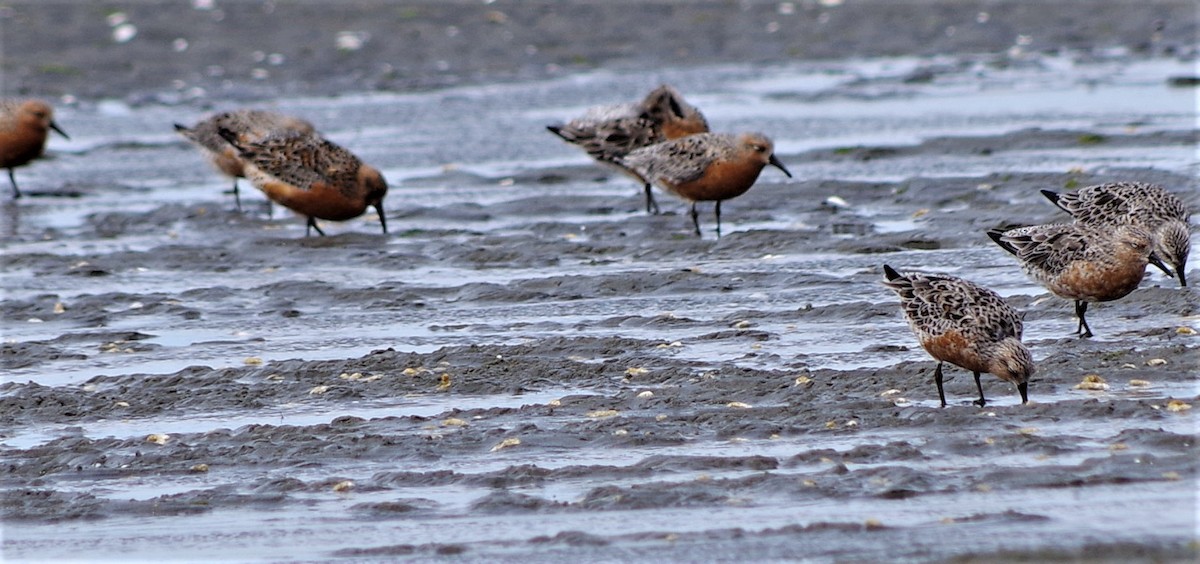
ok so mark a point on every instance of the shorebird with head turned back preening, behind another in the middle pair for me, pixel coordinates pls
(610, 133)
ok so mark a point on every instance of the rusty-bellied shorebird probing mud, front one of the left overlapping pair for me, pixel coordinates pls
(311, 176)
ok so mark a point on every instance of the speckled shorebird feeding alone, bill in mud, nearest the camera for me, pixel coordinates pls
(965, 325)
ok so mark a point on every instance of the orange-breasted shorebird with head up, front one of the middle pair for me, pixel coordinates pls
(706, 167)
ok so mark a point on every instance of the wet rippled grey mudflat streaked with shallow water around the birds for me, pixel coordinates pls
(530, 368)
